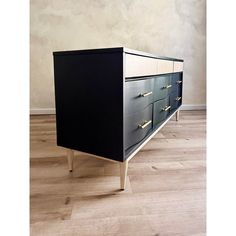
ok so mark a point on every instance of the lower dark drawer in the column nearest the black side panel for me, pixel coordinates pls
(137, 126)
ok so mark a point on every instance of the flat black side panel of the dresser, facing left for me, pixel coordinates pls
(89, 103)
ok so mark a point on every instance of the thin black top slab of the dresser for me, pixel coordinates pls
(113, 50)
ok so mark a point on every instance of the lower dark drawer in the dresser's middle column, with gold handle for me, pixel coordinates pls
(160, 110)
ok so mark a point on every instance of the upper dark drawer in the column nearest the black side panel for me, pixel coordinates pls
(138, 94)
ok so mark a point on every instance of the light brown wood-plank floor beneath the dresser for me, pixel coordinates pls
(165, 193)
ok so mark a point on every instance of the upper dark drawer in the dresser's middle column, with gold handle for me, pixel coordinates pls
(162, 87)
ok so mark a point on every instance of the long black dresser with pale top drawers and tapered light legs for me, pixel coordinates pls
(110, 102)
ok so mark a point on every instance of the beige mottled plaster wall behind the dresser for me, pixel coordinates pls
(175, 28)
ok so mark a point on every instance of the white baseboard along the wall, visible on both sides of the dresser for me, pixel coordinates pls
(46, 111)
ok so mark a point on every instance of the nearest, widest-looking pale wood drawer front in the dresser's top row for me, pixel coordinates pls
(139, 66)
